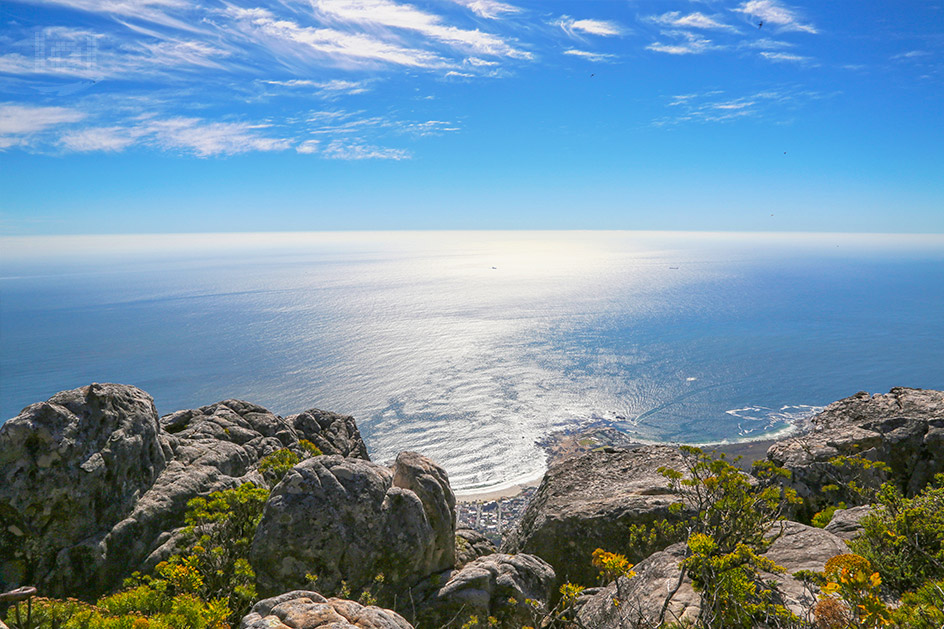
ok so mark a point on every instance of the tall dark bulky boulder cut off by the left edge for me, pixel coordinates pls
(70, 468)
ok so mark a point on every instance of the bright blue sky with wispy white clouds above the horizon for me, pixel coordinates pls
(157, 116)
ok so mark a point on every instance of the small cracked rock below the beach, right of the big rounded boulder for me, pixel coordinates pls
(495, 585)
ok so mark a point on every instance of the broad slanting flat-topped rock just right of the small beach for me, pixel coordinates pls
(588, 502)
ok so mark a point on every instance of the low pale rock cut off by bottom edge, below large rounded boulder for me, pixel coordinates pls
(310, 610)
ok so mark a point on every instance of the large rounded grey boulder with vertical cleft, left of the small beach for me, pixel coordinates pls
(349, 519)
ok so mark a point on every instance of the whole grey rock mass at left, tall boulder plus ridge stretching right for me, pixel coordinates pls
(93, 484)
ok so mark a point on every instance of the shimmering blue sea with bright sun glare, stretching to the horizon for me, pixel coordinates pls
(473, 347)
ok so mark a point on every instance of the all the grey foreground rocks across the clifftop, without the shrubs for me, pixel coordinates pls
(94, 486)
